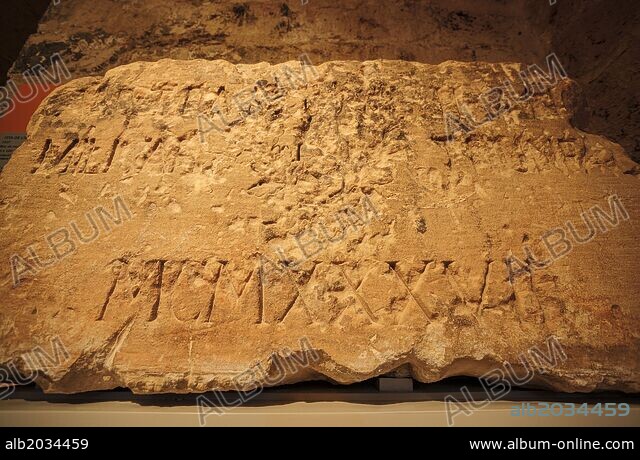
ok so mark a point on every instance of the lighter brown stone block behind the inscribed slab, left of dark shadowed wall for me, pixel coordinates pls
(95, 37)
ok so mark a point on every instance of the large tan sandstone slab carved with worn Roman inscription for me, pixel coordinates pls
(181, 296)
